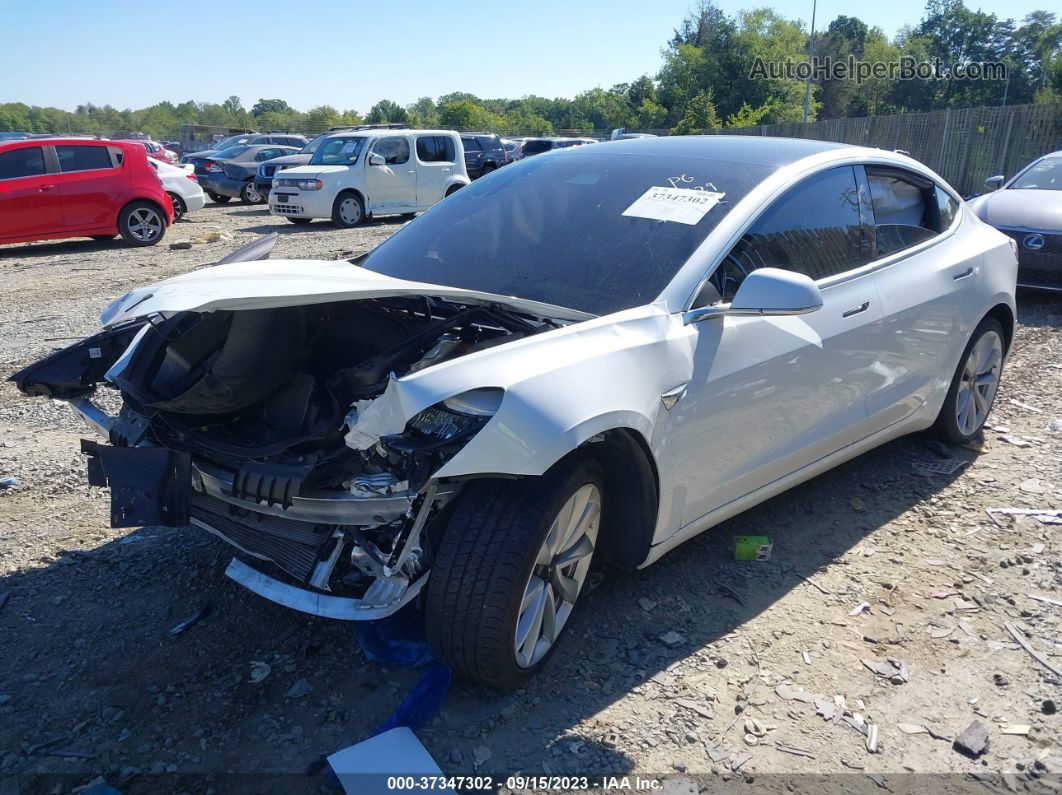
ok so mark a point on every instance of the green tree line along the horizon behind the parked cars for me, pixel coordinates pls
(706, 81)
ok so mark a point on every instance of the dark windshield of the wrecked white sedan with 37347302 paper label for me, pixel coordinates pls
(554, 229)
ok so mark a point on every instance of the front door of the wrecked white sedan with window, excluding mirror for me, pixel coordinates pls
(772, 395)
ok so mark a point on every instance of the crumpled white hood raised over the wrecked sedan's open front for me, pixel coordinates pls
(271, 284)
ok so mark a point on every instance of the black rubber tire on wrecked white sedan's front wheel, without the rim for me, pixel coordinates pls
(483, 566)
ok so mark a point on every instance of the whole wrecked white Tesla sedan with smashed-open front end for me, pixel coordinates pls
(598, 353)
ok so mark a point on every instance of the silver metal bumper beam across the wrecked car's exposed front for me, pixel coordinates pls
(332, 508)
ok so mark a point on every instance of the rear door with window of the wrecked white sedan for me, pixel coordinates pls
(927, 284)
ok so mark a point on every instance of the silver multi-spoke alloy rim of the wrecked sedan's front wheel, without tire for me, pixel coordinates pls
(558, 577)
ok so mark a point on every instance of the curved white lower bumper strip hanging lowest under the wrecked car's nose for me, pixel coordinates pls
(384, 598)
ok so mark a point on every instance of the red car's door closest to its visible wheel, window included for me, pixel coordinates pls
(91, 183)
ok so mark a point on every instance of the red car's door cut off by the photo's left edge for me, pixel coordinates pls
(29, 195)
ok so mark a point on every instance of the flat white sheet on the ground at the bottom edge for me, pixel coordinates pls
(364, 769)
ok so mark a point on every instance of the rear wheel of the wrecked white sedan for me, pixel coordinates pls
(974, 387)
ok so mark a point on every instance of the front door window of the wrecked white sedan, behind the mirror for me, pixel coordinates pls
(813, 230)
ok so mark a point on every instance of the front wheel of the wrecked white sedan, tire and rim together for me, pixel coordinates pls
(510, 568)
